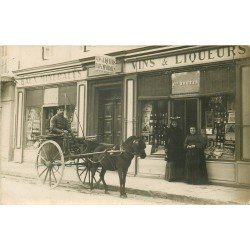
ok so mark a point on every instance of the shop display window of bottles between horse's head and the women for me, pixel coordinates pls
(153, 125)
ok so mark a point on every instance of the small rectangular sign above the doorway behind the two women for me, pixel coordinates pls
(186, 82)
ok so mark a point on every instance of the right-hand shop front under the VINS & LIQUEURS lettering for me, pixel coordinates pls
(207, 87)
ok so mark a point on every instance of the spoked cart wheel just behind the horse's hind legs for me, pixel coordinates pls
(83, 170)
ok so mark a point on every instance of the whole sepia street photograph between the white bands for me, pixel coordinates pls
(156, 124)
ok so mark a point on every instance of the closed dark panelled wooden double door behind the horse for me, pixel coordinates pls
(109, 116)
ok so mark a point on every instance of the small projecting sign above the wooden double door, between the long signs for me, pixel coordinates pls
(105, 64)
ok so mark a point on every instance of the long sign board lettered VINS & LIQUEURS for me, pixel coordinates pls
(189, 58)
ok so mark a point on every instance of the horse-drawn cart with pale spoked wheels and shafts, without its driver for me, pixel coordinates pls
(56, 152)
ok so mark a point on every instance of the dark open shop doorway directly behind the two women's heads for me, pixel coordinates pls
(187, 110)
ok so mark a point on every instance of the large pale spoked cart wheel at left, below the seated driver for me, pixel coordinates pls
(50, 163)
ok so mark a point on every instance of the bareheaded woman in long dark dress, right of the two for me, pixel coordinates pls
(196, 172)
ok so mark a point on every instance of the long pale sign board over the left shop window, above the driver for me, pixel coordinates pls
(50, 79)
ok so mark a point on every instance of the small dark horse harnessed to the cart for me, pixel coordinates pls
(121, 162)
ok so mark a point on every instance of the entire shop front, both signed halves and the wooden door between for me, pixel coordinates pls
(206, 86)
